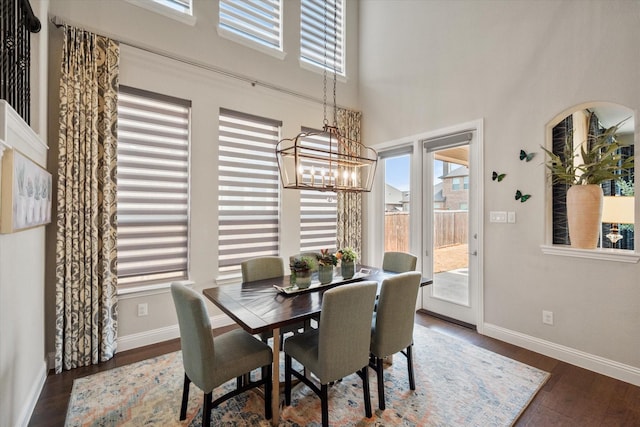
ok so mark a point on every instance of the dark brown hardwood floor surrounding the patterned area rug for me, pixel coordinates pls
(572, 397)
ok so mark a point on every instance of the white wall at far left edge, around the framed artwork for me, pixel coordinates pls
(22, 261)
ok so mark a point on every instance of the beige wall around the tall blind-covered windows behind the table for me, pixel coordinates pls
(208, 92)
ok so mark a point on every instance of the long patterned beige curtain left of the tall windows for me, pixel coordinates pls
(86, 304)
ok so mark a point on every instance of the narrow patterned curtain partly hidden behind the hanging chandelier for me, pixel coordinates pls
(349, 204)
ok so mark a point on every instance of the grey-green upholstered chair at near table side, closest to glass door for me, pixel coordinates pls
(392, 327)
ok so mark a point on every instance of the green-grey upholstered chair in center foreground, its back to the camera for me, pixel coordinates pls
(340, 345)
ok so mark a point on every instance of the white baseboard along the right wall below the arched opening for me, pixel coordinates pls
(601, 365)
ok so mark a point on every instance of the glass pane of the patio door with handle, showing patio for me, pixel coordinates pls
(451, 225)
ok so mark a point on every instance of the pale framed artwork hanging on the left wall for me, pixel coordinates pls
(25, 194)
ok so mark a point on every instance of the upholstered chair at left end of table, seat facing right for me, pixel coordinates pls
(211, 361)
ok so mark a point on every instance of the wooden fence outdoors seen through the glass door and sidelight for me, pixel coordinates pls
(451, 229)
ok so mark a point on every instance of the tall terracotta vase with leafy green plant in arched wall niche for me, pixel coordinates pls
(597, 160)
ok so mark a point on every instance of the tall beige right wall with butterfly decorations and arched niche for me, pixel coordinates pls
(515, 64)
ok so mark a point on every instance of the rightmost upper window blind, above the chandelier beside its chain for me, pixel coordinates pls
(314, 46)
